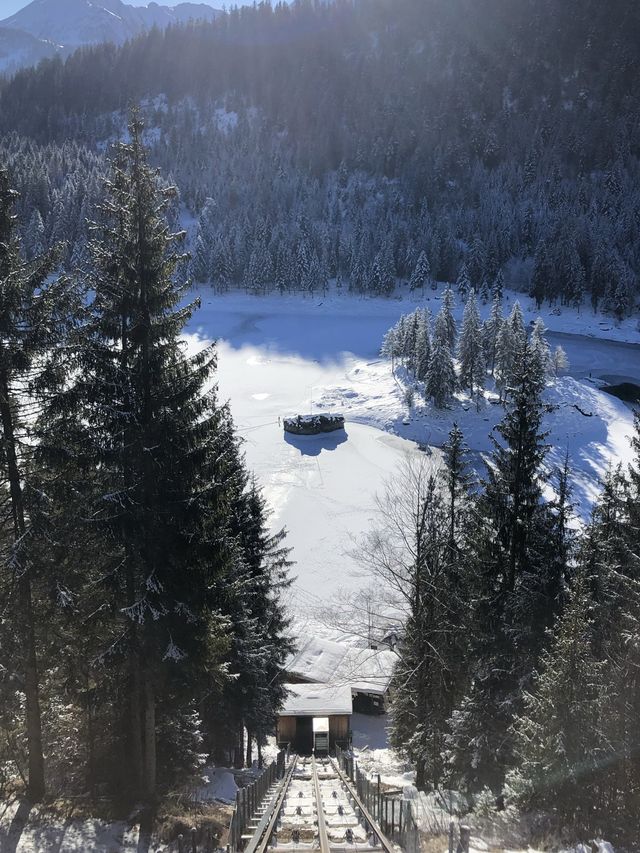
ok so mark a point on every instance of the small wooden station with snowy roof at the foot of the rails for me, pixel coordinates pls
(330, 706)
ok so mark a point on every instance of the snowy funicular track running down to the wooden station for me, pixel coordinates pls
(316, 807)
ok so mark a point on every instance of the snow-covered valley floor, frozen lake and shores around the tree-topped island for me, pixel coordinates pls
(284, 355)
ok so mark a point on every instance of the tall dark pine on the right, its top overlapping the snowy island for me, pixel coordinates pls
(514, 590)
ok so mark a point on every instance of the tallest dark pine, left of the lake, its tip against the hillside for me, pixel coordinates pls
(149, 445)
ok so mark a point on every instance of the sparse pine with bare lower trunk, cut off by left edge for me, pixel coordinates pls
(32, 322)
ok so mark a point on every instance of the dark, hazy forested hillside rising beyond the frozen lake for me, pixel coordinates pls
(324, 141)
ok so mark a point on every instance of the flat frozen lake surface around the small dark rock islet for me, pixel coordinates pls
(321, 488)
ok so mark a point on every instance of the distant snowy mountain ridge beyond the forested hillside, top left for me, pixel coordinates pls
(71, 23)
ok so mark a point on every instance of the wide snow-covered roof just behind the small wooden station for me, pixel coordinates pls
(327, 662)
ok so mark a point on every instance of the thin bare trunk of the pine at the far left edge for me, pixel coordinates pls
(36, 784)
